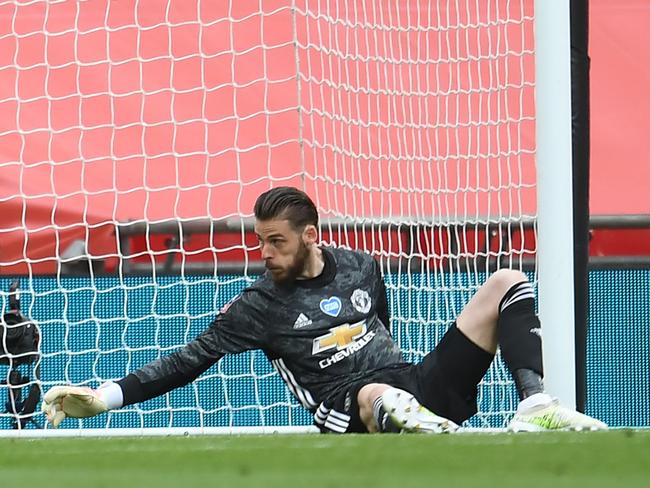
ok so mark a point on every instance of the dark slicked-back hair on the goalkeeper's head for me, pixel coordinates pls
(286, 202)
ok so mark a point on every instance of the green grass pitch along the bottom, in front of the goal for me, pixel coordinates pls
(615, 458)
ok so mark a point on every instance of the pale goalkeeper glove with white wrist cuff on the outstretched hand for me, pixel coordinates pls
(76, 402)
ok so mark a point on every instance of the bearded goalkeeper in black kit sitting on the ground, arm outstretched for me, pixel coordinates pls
(321, 317)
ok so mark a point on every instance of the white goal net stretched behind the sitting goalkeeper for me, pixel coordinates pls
(136, 135)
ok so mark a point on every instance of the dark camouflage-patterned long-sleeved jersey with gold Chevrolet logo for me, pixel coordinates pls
(321, 334)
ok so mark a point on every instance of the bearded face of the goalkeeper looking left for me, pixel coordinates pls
(284, 249)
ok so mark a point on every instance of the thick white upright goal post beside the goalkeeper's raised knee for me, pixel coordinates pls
(555, 197)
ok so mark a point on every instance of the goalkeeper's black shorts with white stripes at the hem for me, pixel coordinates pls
(445, 382)
